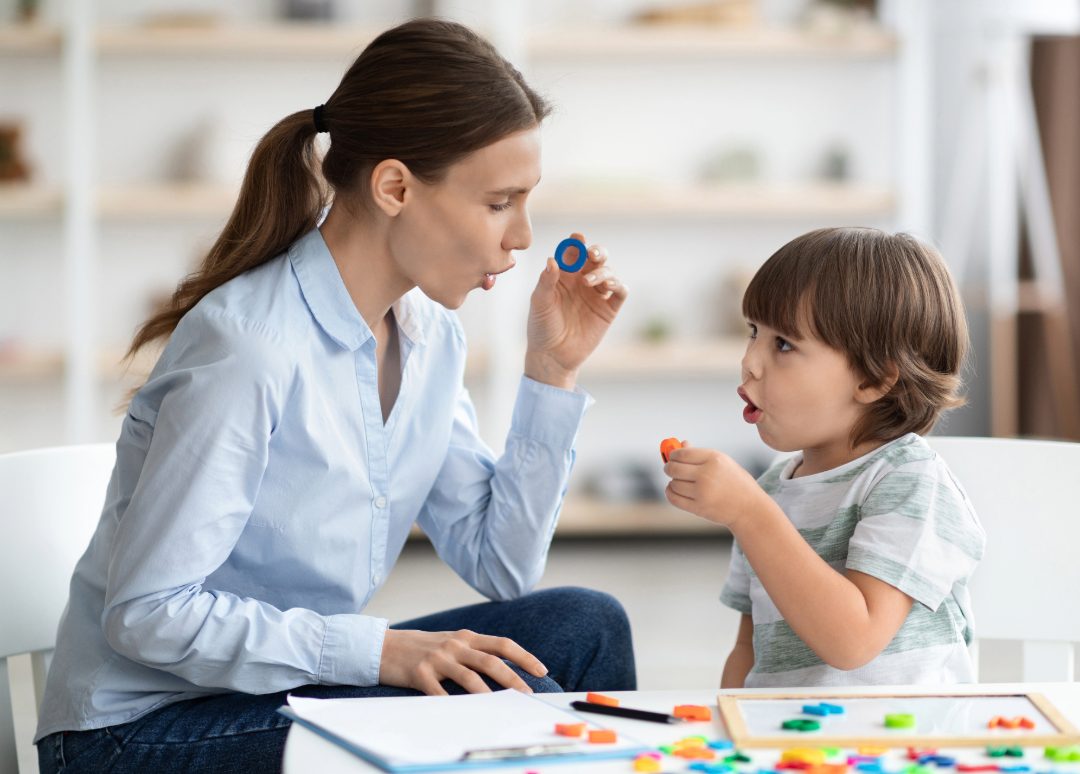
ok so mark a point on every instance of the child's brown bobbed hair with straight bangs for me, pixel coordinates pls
(885, 301)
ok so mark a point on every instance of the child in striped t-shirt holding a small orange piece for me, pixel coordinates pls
(853, 558)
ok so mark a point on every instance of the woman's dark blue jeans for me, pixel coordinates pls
(582, 636)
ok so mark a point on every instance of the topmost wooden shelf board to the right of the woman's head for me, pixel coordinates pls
(699, 42)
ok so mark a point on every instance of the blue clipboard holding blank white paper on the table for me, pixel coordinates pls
(453, 734)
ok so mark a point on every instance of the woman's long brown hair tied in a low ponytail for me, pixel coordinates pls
(427, 93)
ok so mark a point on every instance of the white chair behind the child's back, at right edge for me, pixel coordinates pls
(1028, 496)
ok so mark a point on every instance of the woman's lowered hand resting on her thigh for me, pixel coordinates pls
(423, 660)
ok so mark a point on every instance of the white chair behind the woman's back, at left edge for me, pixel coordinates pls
(52, 501)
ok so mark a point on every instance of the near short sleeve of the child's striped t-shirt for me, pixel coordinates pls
(917, 532)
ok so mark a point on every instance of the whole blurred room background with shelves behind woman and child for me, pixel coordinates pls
(691, 138)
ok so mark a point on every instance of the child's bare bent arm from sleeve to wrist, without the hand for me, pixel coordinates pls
(846, 619)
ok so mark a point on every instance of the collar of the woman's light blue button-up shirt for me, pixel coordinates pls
(331, 304)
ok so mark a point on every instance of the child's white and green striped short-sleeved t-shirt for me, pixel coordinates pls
(897, 514)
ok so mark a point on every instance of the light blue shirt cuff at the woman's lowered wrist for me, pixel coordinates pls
(353, 650)
